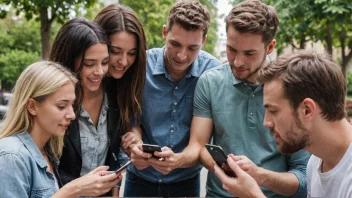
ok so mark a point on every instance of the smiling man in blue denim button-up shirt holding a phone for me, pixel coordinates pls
(172, 74)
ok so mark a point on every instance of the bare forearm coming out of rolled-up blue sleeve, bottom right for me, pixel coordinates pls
(285, 184)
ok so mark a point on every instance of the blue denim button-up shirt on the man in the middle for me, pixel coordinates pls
(167, 110)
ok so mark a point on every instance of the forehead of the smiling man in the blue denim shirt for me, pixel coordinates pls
(185, 37)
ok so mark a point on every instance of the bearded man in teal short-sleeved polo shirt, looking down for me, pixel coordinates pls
(228, 105)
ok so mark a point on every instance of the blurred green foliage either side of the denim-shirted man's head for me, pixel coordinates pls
(153, 15)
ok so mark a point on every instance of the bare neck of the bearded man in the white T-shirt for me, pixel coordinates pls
(330, 141)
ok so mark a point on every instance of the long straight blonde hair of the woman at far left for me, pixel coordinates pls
(37, 81)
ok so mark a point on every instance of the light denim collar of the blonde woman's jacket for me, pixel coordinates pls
(33, 149)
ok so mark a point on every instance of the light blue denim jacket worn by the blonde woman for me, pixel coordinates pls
(23, 169)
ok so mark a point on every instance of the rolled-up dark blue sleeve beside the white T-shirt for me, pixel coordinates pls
(297, 163)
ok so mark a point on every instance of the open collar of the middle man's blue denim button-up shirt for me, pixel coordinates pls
(160, 67)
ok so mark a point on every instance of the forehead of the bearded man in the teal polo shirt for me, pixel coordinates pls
(244, 41)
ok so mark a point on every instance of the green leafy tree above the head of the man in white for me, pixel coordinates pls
(327, 21)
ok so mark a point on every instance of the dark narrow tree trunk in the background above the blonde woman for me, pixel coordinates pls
(45, 26)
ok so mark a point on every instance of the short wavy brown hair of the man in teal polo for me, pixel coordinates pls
(255, 17)
